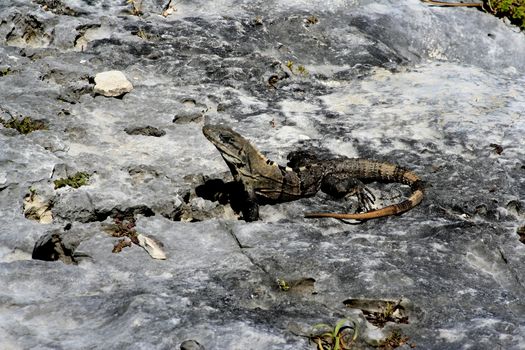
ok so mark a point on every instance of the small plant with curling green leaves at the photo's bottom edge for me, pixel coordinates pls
(339, 337)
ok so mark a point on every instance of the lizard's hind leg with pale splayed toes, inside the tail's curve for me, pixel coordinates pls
(344, 186)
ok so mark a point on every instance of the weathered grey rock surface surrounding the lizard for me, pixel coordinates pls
(438, 90)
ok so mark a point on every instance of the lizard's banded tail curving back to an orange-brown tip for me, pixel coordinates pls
(402, 176)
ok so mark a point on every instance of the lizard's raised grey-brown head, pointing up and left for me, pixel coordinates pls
(234, 148)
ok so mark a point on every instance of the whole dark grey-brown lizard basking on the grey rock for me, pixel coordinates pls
(266, 182)
